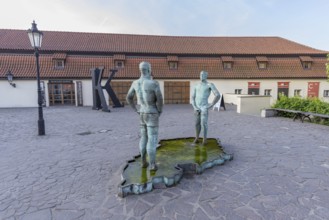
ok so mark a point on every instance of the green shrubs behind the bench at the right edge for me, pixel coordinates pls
(306, 105)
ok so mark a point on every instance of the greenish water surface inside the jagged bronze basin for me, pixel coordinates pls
(169, 154)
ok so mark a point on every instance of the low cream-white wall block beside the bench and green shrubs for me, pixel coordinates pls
(252, 104)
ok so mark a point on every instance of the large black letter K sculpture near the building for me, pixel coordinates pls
(99, 101)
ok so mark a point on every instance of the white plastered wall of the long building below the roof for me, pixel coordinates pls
(25, 93)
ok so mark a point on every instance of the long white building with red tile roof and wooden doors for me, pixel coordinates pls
(240, 65)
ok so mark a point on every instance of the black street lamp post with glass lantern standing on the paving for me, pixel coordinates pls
(35, 37)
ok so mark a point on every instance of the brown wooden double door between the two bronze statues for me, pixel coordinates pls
(177, 92)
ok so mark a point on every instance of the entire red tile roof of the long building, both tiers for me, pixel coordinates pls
(83, 51)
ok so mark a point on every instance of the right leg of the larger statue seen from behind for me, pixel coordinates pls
(152, 143)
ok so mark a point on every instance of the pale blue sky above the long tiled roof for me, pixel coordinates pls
(302, 21)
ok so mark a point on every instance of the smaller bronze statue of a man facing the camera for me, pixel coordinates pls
(200, 95)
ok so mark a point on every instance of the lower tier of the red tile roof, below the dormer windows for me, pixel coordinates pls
(78, 67)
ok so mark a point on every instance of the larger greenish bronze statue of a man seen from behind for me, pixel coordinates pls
(150, 99)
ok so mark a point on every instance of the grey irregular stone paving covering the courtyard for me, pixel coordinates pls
(280, 168)
